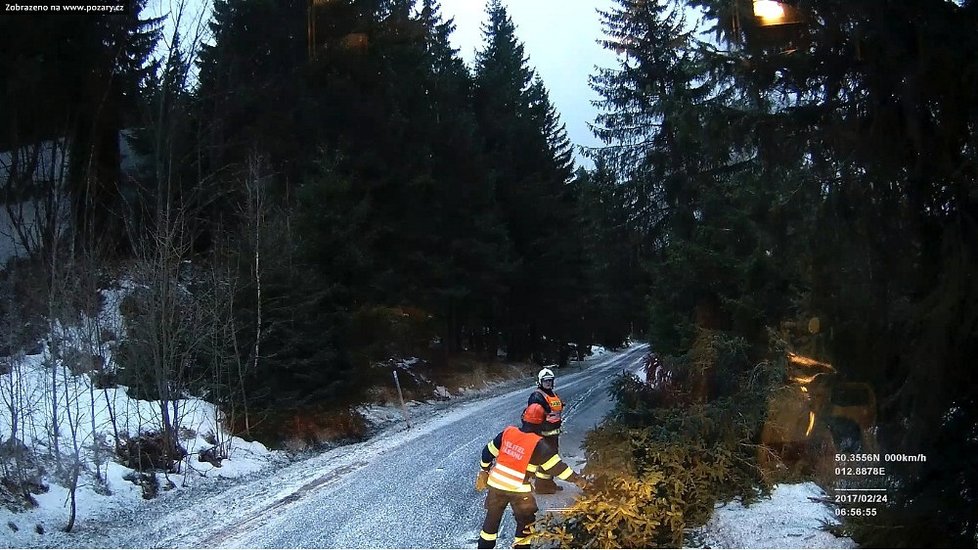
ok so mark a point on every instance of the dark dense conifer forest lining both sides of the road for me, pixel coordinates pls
(298, 190)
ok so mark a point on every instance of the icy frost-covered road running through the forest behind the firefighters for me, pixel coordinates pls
(403, 488)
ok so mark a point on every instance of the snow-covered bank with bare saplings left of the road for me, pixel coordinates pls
(32, 375)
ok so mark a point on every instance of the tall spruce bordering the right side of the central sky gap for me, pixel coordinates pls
(652, 112)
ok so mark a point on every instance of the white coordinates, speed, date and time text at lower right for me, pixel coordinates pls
(861, 490)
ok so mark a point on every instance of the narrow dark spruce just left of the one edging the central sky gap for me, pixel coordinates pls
(471, 242)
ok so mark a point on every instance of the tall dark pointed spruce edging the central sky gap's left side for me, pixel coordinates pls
(528, 154)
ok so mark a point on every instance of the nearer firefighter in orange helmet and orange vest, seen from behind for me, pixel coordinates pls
(514, 456)
